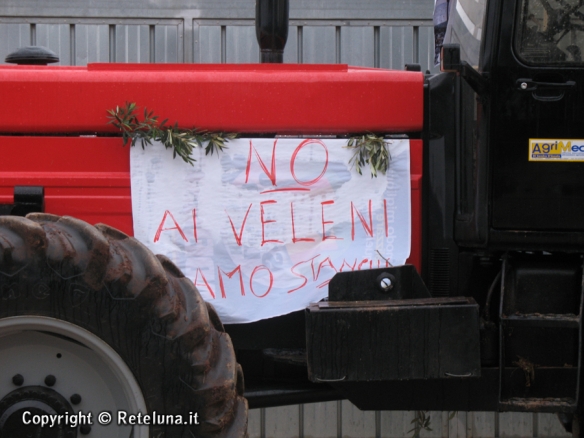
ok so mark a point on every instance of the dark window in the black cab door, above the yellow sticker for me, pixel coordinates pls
(550, 32)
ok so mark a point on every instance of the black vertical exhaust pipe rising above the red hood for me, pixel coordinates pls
(272, 29)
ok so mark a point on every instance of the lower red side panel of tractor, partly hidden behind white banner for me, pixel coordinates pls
(89, 178)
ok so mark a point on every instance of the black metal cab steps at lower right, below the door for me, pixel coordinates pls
(528, 282)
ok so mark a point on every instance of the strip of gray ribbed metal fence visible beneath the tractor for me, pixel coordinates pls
(343, 420)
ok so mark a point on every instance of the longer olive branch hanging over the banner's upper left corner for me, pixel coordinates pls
(181, 141)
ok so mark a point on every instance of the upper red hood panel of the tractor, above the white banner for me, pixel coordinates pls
(262, 98)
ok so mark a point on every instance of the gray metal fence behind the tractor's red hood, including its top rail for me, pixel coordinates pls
(372, 33)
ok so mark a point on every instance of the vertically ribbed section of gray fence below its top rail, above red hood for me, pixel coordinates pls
(386, 44)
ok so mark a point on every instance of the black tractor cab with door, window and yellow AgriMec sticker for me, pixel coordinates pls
(502, 216)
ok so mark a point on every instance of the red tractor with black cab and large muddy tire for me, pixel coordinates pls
(487, 315)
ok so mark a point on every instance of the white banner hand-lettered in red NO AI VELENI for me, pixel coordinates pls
(261, 228)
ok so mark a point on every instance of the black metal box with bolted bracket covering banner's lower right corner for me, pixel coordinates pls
(382, 325)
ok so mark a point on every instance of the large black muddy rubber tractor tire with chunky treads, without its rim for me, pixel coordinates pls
(141, 305)
